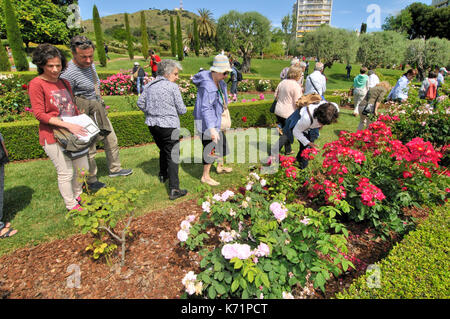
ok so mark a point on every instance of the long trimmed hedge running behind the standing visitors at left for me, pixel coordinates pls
(21, 138)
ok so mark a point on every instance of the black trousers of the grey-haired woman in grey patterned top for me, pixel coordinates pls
(165, 142)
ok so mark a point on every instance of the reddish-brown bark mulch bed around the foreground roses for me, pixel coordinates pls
(155, 263)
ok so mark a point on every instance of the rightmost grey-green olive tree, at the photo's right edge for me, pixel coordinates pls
(427, 54)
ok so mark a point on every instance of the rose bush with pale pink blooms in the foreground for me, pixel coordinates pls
(265, 247)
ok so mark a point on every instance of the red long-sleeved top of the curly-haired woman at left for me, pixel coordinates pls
(49, 99)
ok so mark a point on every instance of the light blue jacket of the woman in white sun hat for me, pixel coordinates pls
(209, 106)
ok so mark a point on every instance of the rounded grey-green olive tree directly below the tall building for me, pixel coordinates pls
(330, 45)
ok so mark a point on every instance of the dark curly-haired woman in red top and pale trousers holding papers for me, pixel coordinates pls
(50, 99)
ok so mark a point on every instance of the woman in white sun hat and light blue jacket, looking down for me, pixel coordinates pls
(211, 102)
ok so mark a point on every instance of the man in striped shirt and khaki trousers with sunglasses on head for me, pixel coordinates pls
(85, 83)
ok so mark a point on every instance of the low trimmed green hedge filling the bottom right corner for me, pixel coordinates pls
(417, 268)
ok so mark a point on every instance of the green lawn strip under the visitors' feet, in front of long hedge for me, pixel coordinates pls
(34, 206)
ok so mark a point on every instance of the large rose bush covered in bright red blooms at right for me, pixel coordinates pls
(378, 176)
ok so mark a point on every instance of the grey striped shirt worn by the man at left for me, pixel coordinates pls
(81, 80)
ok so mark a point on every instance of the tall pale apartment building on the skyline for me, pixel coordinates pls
(311, 14)
